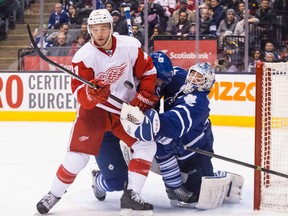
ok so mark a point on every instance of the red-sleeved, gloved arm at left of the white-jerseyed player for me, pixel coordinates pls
(88, 97)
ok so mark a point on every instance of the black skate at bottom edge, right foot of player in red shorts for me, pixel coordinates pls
(132, 204)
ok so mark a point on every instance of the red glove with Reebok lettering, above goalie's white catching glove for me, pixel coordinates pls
(144, 100)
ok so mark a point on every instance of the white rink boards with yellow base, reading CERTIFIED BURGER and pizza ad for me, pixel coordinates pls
(46, 96)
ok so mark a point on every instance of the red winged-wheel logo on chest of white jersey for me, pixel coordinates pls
(113, 74)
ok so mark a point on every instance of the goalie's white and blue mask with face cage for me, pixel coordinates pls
(194, 81)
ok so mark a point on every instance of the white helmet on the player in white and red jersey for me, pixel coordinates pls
(99, 16)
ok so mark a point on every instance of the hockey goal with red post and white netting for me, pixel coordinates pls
(271, 136)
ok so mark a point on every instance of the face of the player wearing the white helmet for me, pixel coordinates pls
(101, 33)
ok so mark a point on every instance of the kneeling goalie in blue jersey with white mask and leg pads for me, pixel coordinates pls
(185, 122)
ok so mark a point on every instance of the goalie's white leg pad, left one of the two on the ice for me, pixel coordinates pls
(213, 191)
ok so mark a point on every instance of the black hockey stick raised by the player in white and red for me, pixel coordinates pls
(63, 69)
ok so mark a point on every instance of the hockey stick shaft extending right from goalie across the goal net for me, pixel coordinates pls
(206, 153)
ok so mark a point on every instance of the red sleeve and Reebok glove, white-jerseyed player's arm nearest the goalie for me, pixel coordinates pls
(146, 73)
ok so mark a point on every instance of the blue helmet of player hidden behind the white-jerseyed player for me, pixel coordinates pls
(163, 66)
